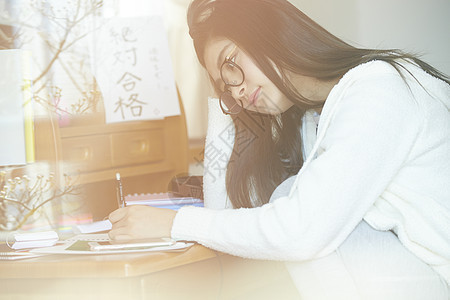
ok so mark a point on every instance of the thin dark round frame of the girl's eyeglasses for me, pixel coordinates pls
(236, 108)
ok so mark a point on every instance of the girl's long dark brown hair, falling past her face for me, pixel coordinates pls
(279, 38)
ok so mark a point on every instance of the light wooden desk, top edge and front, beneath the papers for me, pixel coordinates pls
(198, 273)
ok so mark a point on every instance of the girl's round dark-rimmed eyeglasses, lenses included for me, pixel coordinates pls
(232, 75)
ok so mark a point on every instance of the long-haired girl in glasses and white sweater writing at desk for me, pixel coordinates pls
(351, 137)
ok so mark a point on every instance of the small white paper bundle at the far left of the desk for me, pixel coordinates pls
(33, 240)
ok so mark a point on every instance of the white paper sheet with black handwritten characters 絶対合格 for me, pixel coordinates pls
(131, 64)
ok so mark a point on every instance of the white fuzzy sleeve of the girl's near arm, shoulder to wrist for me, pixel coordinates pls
(366, 143)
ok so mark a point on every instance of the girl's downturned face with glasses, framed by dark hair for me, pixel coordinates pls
(256, 92)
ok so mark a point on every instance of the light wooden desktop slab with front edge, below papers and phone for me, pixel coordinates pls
(105, 265)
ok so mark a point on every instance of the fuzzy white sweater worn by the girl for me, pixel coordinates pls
(382, 154)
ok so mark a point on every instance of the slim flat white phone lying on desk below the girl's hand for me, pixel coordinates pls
(131, 245)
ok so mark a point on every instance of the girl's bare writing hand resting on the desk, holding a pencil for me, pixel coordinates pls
(141, 222)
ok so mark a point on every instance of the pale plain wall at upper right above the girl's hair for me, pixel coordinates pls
(414, 25)
